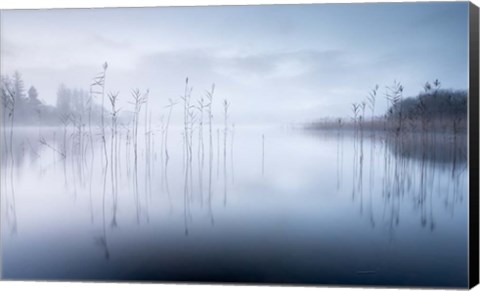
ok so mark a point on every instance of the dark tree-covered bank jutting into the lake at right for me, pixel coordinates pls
(433, 109)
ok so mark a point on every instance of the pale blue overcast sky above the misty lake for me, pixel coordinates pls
(275, 64)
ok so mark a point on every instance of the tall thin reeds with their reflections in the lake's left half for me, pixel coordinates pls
(80, 138)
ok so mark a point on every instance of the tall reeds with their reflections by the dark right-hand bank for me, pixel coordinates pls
(401, 176)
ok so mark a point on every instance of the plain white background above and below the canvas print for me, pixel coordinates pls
(54, 286)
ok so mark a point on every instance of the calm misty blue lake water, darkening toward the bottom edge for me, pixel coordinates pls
(318, 208)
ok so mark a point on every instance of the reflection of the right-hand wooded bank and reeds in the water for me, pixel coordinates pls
(414, 171)
